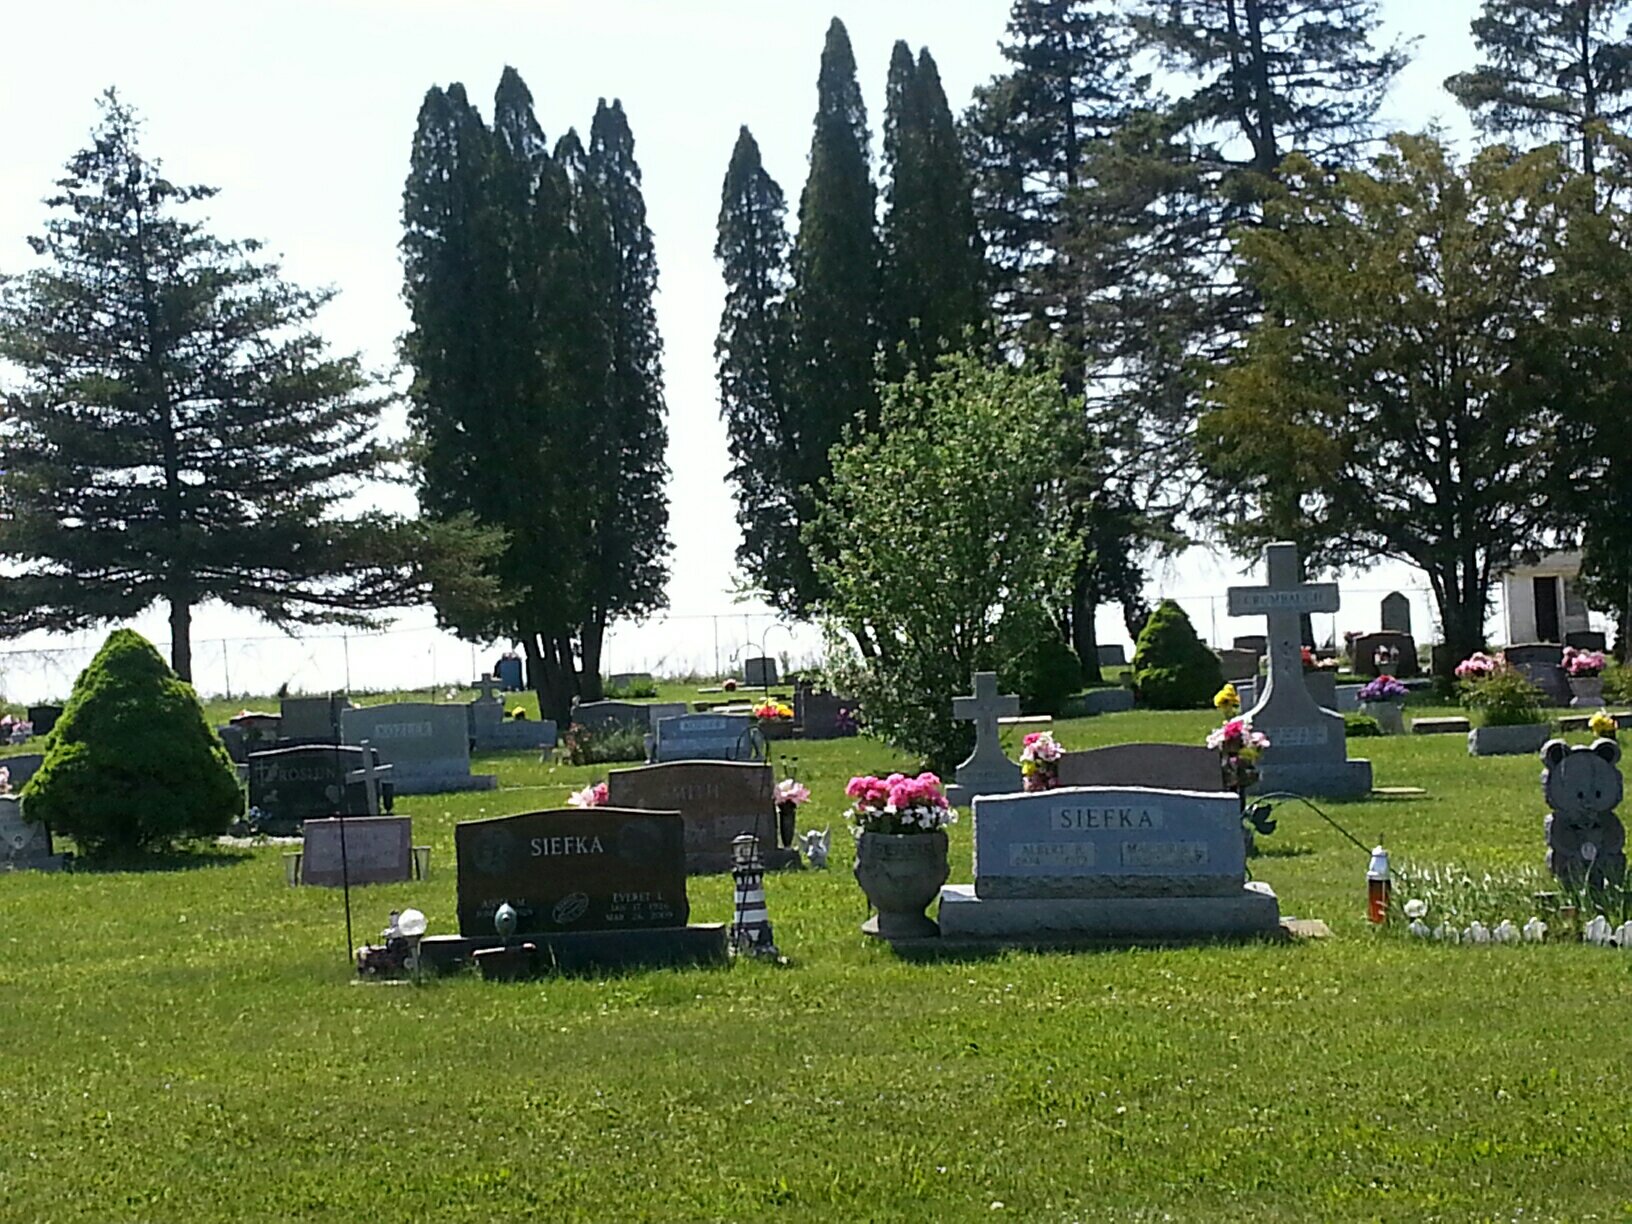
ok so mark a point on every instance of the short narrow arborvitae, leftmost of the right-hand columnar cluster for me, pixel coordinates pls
(752, 360)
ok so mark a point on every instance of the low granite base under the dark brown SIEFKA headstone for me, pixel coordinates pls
(590, 951)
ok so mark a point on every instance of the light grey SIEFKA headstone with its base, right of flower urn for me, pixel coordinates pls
(1107, 863)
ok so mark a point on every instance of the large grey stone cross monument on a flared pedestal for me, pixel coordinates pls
(1308, 747)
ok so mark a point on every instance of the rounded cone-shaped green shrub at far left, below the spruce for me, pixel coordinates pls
(133, 765)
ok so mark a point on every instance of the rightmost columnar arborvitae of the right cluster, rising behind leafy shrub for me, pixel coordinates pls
(933, 270)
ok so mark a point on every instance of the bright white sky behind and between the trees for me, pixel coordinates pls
(303, 112)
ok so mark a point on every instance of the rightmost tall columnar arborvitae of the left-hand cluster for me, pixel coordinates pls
(632, 533)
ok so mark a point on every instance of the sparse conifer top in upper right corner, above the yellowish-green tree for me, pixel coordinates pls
(1554, 69)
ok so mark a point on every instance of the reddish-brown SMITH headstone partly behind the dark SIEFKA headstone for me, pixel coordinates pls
(719, 800)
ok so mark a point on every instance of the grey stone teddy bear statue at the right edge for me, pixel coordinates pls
(1585, 838)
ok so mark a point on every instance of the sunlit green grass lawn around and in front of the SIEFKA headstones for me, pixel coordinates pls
(188, 1045)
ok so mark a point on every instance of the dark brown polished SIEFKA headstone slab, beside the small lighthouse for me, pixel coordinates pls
(574, 871)
